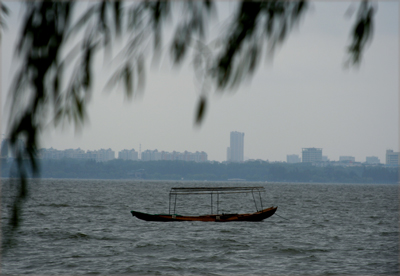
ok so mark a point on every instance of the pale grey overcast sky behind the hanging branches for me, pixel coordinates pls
(303, 98)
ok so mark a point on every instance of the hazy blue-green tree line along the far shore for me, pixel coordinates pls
(210, 171)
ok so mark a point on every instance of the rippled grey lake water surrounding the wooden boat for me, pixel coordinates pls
(85, 227)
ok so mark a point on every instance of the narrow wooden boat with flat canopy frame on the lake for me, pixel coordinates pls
(259, 215)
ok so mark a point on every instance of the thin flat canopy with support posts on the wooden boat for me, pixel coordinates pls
(214, 191)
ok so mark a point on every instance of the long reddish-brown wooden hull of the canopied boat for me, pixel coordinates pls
(257, 216)
